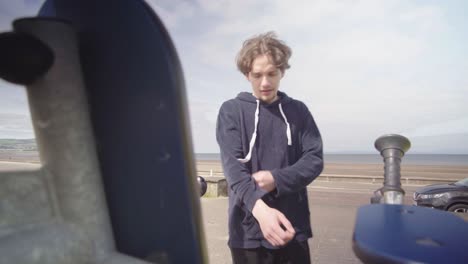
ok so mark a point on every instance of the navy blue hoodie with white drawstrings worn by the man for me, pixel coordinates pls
(286, 141)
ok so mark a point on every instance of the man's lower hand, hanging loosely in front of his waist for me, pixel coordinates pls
(275, 227)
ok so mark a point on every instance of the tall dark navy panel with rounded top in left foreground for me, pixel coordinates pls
(139, 113)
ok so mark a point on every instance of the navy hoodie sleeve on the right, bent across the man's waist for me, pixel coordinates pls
(309, 166)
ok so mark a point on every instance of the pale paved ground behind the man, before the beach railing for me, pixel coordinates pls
(333, 208)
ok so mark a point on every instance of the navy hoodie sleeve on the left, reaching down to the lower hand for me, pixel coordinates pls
(238, 175)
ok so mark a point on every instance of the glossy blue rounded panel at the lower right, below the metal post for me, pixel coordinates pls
(408, 234)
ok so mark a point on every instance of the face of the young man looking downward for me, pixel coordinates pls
(265, 79)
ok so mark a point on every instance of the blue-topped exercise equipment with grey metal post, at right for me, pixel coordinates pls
(390, 232)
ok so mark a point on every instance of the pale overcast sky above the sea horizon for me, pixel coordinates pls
(364, 68)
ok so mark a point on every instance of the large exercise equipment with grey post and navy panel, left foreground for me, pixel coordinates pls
(108, 106)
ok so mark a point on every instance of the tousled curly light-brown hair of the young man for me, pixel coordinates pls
(263, 44)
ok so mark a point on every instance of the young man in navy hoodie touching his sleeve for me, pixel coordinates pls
(271, 150)
